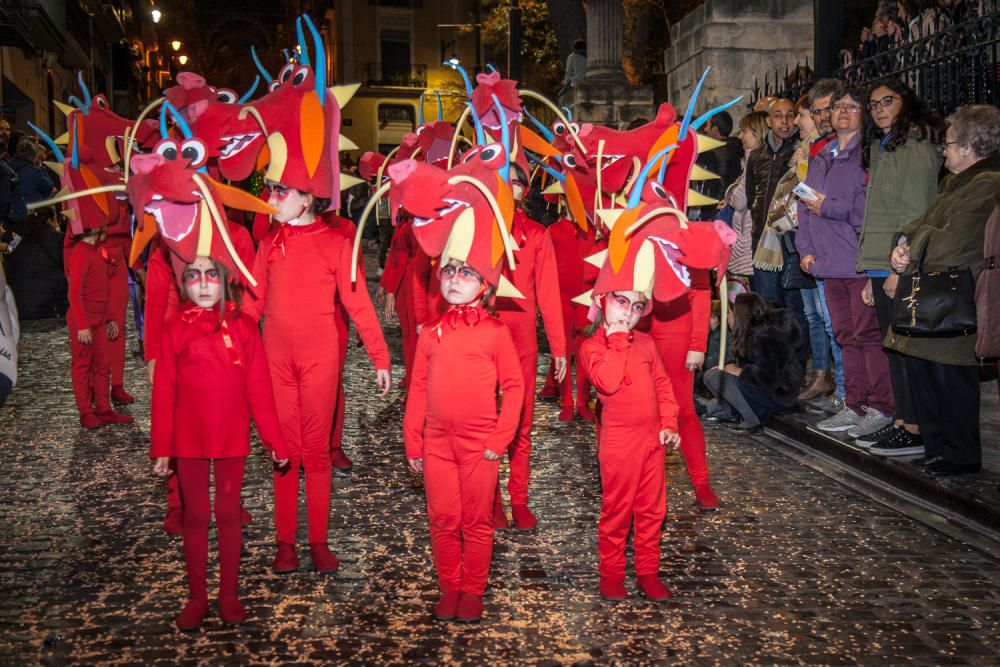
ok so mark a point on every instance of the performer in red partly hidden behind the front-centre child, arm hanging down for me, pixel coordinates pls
(537, 279)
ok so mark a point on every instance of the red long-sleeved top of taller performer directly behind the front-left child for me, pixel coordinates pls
(301, 271)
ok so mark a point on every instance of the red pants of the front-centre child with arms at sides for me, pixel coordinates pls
(460, 486)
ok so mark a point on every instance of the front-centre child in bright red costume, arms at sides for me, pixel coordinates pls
(455, 435)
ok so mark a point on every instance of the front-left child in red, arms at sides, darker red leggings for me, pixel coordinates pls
(211, 375)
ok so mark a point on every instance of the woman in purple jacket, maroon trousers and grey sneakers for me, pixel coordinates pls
(827, 242)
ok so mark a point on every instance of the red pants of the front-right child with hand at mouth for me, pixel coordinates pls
(633, 484)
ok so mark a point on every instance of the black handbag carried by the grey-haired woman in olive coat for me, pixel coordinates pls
(935, 304)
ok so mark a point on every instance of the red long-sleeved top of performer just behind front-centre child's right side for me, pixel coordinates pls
(537, 278)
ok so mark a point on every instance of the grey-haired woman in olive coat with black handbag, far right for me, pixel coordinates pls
(941, 366)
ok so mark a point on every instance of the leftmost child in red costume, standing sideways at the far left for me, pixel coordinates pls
(91, 327)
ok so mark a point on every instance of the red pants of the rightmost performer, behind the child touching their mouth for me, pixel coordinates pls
(673, 352)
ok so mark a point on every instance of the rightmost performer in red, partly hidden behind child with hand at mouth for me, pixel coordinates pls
(680, 330)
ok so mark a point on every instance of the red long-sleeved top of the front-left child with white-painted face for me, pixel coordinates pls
(209, 380)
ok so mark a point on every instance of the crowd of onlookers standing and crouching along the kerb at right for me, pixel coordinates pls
(848, 199)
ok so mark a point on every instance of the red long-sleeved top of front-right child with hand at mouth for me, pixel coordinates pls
(630, 380)
